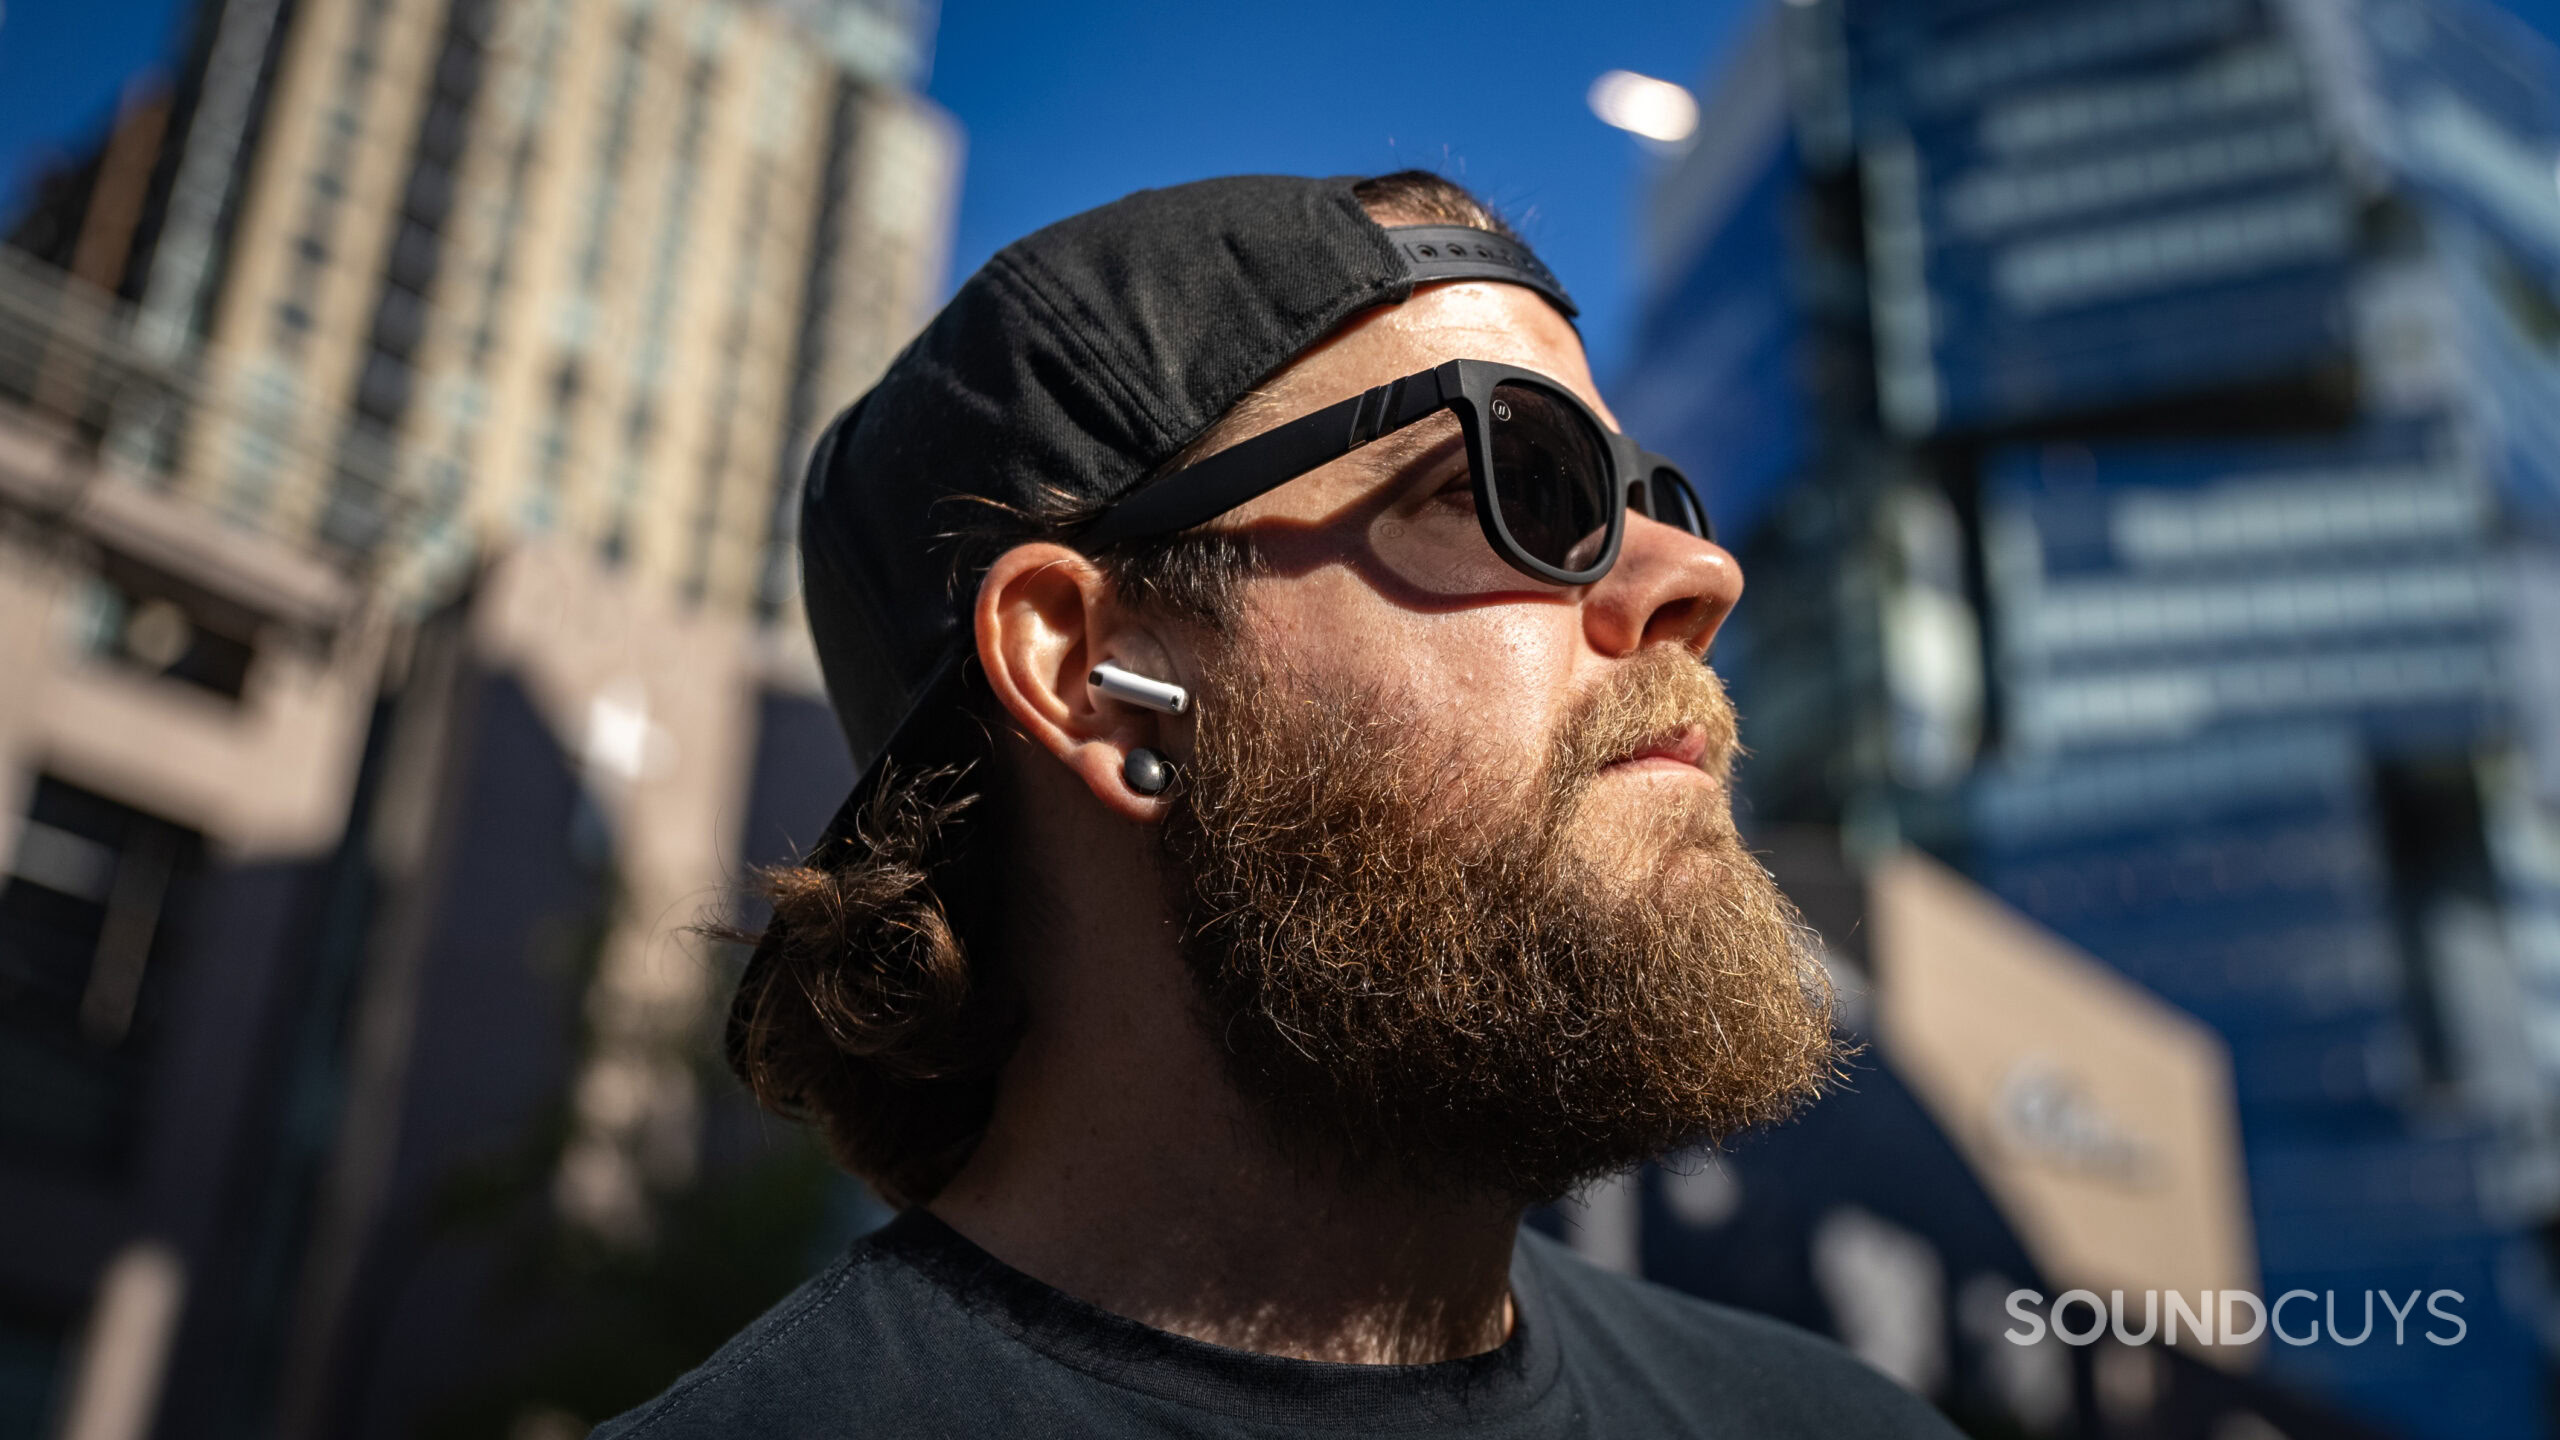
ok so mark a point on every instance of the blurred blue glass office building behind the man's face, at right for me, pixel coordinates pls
(2144, 434)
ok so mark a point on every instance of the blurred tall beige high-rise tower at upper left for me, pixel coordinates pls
(559, 268)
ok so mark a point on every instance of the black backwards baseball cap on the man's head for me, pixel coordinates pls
(1074, 365)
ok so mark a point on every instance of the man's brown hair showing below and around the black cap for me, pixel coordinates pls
(882, 1008)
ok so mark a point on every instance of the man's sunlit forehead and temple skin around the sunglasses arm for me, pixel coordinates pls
(1476, 319)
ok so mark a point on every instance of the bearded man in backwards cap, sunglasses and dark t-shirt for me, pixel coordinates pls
(1294, 842)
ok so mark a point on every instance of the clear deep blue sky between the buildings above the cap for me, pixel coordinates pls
(1074, 104)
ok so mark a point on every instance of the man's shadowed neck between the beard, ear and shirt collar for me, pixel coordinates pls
(1125, 1170)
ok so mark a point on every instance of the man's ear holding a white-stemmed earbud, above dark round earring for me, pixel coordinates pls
(1046, 619)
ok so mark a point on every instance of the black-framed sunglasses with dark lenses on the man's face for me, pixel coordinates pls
(1553, 483)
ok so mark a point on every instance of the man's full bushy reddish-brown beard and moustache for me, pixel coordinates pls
(1422, 980)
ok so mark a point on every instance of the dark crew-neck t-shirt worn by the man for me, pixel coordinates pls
(923, 1334)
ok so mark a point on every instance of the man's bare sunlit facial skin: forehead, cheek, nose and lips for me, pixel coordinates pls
(1381, 585)
